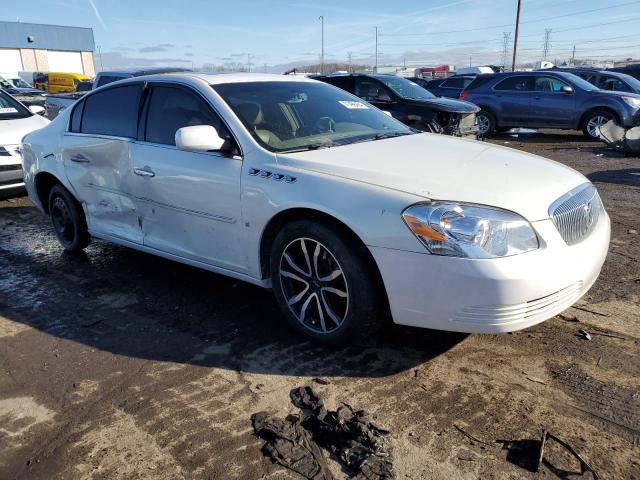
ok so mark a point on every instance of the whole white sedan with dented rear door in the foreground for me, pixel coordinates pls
(298, 186)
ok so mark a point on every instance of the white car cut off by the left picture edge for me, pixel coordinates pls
(16, 120)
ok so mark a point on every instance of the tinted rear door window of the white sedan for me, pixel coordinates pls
(112, 112)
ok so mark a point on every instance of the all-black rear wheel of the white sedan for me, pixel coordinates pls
(68, 220)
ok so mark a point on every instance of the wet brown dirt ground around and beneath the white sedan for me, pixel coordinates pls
(120, 365)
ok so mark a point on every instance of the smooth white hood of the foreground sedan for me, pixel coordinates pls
(440, 167)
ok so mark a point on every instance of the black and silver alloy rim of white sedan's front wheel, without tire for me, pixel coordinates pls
(314, 285)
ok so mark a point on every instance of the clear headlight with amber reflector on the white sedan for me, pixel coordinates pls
(470, 231)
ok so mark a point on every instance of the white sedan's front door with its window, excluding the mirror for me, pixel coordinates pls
(189, 201)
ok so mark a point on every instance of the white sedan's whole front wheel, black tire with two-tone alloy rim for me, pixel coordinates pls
(351, 310)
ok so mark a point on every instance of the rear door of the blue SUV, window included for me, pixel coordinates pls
(514, 96)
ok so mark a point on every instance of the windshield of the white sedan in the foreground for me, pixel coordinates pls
(292, 116)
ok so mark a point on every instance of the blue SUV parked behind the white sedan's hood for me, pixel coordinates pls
(547, 100)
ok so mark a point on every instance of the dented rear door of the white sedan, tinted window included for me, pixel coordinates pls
(96, 153)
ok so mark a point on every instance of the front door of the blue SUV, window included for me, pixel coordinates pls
(551, 107)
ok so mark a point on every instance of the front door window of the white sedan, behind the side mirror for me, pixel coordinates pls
(171, 108)
